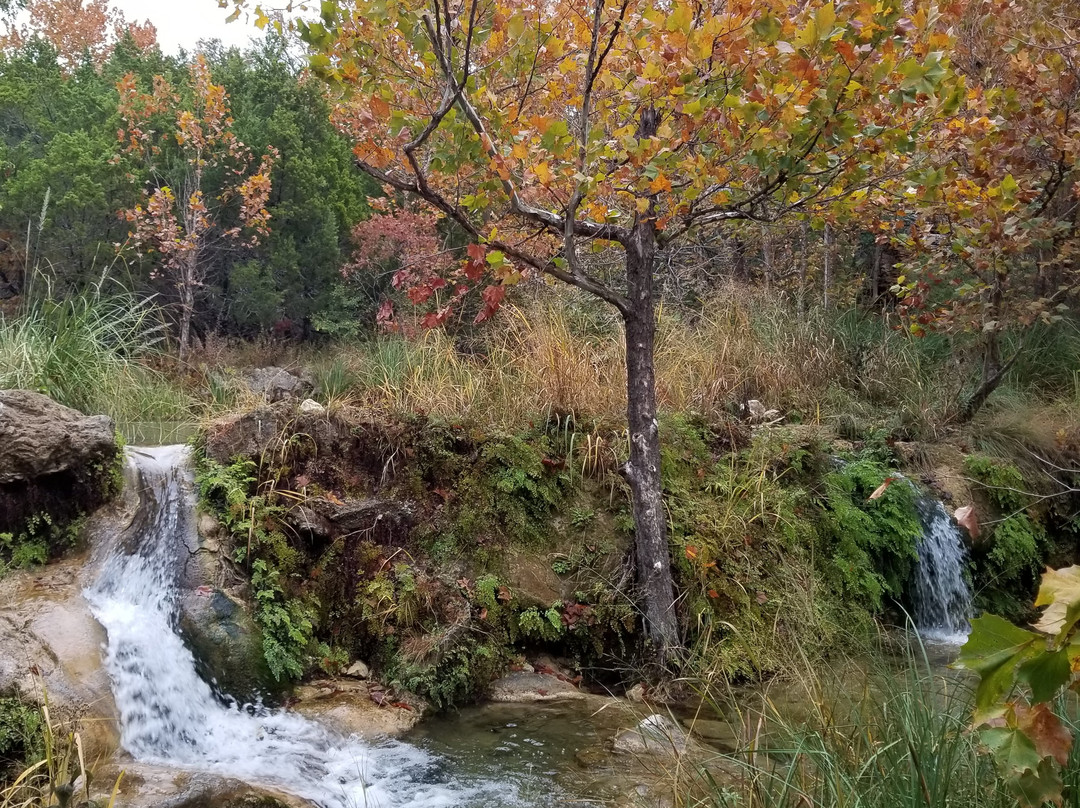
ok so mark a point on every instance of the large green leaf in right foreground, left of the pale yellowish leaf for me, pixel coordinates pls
(994, 651)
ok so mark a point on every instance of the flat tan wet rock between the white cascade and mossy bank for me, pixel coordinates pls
(358, 708)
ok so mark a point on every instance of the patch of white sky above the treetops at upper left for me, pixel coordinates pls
(183, 23)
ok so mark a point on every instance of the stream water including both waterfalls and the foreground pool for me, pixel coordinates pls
(525, 756)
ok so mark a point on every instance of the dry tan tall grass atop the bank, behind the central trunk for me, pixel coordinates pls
(545, 357)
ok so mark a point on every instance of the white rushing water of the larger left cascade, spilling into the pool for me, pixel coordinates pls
(169, 716)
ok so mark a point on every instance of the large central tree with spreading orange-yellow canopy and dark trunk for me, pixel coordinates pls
(544, 129)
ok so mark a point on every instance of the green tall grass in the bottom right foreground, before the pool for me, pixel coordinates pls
(893, 738)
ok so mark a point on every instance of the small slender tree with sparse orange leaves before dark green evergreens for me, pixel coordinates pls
(206, 195)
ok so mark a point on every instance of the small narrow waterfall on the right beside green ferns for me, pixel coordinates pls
(942, 599)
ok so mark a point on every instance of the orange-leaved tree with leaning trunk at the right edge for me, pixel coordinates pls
(992, 238)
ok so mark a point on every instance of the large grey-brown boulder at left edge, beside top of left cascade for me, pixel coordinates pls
(56, 464)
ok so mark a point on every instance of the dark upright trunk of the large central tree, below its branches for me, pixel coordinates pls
(643, 470)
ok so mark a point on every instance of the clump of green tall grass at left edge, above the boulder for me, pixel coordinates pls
(91, 352)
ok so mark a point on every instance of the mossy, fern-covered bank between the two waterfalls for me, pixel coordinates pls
(442, 553)
